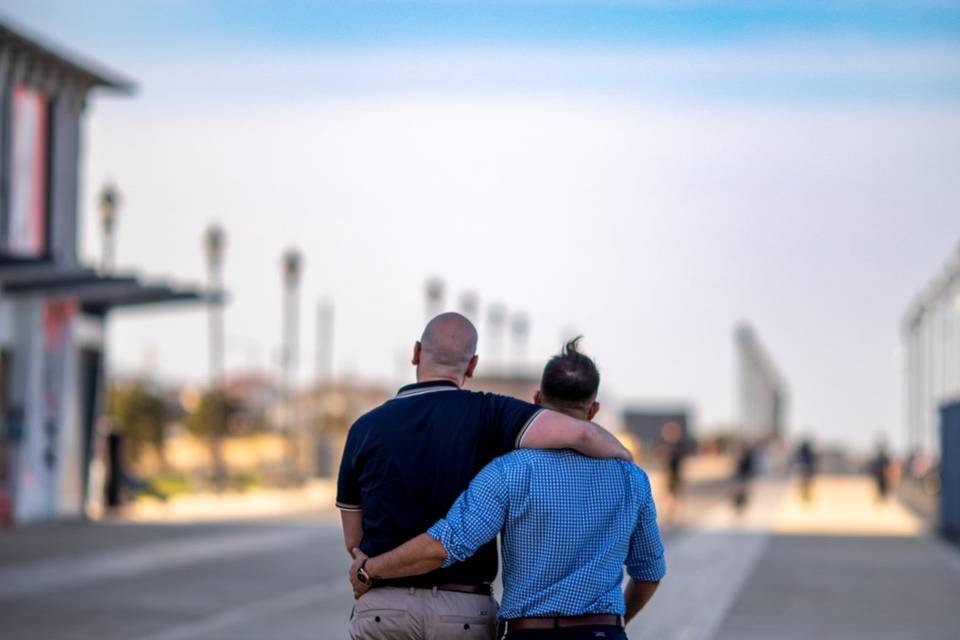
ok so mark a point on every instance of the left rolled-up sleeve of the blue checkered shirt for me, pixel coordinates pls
(476, 517)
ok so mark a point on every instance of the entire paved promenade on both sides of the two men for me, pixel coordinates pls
(839, 568)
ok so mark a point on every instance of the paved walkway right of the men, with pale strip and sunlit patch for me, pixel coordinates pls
(839, 567)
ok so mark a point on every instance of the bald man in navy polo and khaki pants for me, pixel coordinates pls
(407, 461)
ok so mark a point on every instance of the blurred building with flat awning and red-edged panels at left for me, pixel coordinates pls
(53, 308)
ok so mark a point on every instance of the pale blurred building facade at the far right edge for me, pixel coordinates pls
(931, 358)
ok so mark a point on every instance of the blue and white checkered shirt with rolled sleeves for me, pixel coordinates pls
(570, 524)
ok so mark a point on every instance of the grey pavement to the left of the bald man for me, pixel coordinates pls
(265, 579)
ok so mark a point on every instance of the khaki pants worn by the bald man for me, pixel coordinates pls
(395, 613)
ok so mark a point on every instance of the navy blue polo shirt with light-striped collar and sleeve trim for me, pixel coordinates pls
(408, 460)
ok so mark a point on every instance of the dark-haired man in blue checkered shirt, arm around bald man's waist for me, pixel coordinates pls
(570, 524)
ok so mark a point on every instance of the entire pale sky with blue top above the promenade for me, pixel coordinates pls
(647, 174)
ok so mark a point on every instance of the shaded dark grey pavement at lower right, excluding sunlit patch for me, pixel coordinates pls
(881, 588)
